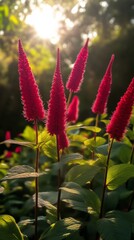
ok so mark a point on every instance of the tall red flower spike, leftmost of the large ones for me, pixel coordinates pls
(32, 104)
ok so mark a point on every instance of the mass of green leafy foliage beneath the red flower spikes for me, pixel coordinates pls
(80, 191)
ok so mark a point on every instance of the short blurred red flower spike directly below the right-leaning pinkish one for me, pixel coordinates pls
(73, 110)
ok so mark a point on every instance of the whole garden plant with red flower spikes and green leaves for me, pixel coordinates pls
(64, 179)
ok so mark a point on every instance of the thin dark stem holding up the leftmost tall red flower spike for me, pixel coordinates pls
(36, 181)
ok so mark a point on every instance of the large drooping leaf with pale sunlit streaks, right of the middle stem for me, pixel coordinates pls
(80, 199)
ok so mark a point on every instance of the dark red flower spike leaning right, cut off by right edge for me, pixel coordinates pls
(121, 116)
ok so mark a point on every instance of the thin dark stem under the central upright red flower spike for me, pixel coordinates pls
(59, 181)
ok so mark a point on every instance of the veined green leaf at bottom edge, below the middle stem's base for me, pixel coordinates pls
(61, 229)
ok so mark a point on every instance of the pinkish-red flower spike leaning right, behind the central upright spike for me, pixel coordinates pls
(77, 74)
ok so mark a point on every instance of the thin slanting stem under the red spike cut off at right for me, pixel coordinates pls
(105, 178)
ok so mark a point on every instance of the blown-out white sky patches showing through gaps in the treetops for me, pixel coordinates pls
(46, 21)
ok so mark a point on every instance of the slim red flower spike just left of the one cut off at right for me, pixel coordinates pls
(100, 103)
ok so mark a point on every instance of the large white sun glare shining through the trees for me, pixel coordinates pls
(46, 22)
